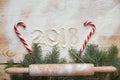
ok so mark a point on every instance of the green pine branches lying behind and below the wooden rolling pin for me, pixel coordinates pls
(92, 54)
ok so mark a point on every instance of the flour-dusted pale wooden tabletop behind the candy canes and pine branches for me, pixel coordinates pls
(57, 14)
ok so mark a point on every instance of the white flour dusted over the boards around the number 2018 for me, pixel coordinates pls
(47, 14)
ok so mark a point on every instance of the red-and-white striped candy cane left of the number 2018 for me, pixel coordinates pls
(20, 36)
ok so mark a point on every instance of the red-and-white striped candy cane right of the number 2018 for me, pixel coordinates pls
(89, 35)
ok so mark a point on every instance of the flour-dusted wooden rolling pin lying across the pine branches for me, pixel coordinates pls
(61, 69)
